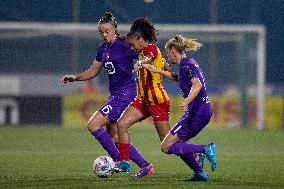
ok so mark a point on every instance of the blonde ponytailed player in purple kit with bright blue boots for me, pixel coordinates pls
(196, 107)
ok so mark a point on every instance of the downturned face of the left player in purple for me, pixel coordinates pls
(107, 32)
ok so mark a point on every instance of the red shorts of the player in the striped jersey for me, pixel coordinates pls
(159, 112)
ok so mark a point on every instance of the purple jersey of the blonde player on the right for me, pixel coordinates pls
(187, 70)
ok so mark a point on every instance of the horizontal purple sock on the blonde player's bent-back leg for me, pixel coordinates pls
(185, 148)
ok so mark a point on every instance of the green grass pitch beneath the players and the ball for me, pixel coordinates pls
(45, 157)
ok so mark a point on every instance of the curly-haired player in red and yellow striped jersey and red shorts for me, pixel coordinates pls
(151, 100)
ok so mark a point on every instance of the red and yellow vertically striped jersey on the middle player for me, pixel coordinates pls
(149, 84)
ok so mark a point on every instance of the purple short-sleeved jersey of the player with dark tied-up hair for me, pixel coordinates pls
(117, 59)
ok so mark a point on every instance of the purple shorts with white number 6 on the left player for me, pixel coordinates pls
(117, 103)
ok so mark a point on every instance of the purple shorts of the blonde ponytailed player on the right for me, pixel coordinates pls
(190, 125)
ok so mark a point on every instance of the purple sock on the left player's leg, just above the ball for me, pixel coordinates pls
(107, 143)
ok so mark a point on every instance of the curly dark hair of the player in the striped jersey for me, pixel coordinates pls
(144, 28)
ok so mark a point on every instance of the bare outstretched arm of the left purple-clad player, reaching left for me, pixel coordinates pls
(90, 73)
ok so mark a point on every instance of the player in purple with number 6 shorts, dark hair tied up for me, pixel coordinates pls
(117, 57)
